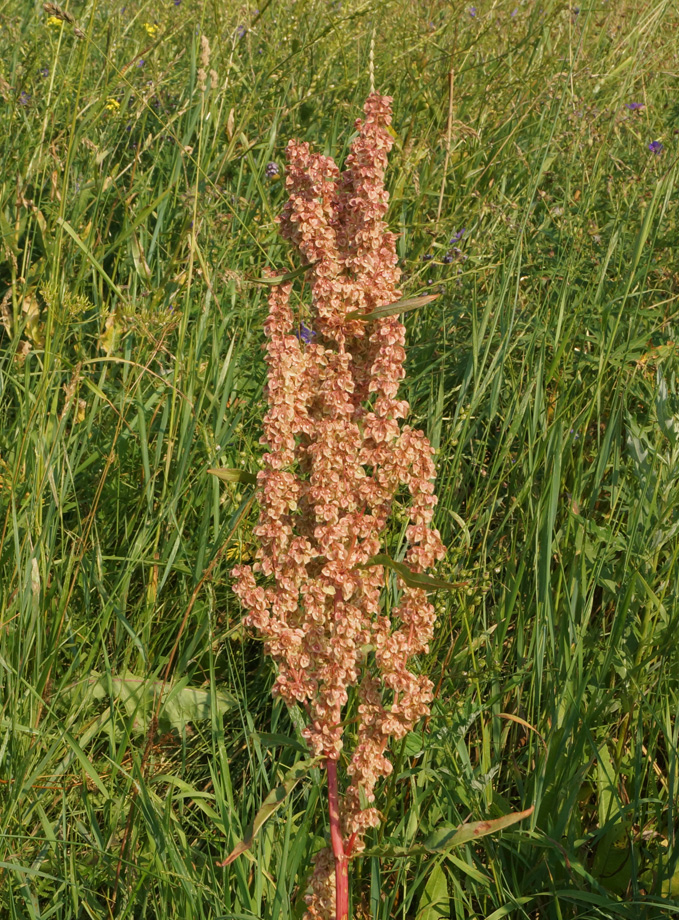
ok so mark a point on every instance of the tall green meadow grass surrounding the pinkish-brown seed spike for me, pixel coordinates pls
(138, 737)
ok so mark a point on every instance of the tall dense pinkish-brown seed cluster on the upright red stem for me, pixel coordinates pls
(338, 452)
